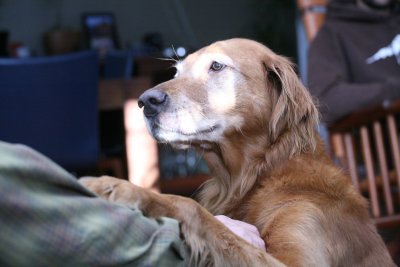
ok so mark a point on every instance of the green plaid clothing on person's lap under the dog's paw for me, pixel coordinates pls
(48, 219)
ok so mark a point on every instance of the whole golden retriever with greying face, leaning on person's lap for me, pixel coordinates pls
(245, 109)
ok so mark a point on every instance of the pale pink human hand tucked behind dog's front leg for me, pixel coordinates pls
(244, 230)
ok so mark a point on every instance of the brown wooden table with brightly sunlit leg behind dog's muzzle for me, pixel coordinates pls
(141, 148)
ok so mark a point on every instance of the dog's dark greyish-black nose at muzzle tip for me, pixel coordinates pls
(153, 101)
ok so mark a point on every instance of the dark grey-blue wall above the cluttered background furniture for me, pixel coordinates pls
(191, 23)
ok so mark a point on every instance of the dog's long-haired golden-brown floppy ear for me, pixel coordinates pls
(293, 109)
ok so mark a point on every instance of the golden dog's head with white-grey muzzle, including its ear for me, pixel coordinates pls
(236, 86)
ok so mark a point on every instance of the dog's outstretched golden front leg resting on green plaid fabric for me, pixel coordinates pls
(209, 241)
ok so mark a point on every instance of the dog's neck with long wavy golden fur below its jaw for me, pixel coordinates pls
(239, 163)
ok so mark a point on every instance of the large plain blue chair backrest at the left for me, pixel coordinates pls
(50, 104)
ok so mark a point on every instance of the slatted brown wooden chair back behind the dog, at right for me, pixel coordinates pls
(366, 144)
